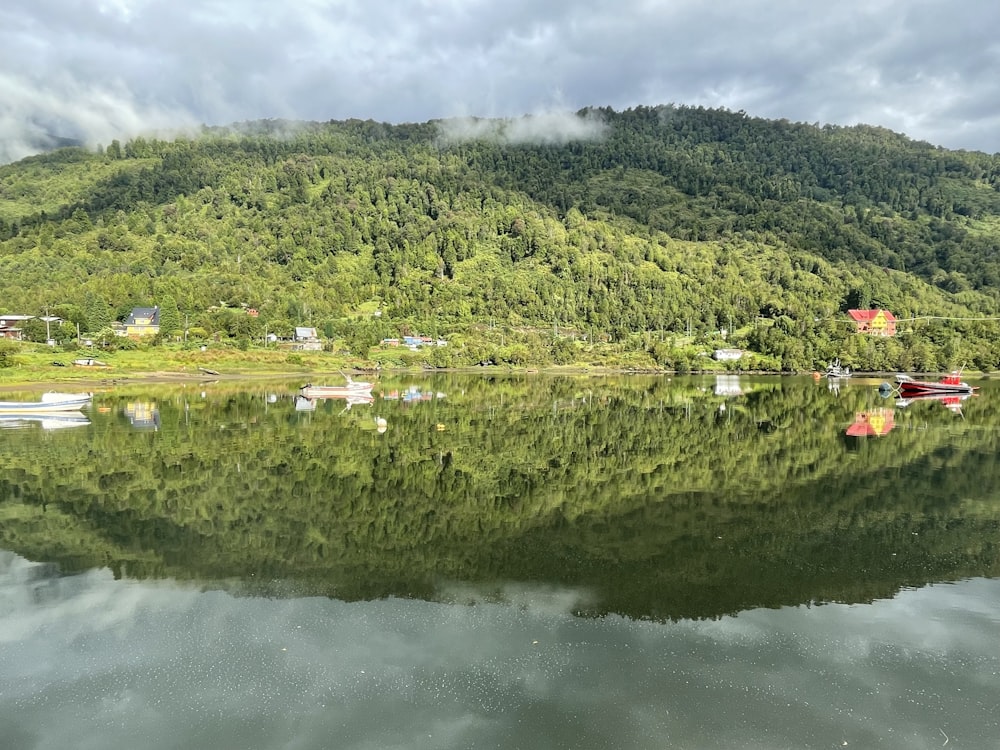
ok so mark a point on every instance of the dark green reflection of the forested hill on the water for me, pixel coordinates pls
(658, 498)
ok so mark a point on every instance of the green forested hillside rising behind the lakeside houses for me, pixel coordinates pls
(631, 237)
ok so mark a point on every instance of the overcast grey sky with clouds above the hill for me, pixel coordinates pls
(100, 69)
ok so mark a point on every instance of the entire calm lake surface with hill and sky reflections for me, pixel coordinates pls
(513, 562)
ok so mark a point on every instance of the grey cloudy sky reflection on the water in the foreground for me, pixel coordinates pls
(90, 661)
